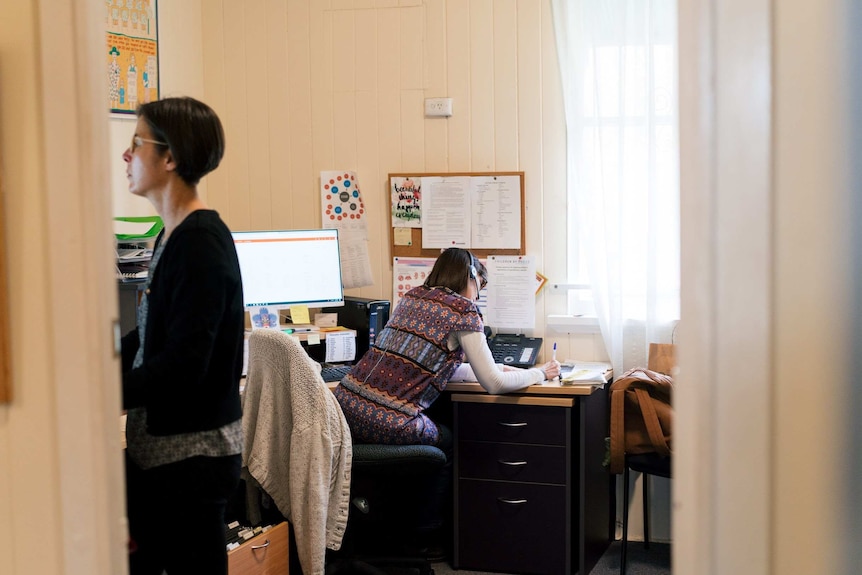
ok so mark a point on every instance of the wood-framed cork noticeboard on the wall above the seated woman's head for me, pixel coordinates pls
(415, 234)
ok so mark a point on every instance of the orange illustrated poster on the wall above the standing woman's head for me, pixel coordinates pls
(132, 54)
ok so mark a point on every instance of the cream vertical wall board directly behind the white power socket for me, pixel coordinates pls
(436, 129)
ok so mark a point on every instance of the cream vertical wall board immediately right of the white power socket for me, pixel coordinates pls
(458, 81)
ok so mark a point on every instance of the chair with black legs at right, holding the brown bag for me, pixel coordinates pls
(662, 359)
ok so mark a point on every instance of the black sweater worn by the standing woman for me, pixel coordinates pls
(189, 379)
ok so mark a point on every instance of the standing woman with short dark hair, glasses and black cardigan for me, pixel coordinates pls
(182, 364)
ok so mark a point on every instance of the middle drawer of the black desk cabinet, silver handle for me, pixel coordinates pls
(513, 462)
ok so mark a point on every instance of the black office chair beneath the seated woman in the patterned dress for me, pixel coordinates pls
(387, 486)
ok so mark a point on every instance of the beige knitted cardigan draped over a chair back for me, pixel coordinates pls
(297, 445)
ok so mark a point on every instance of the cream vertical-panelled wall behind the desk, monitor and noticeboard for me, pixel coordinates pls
(340, 84)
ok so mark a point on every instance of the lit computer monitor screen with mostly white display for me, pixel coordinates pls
(290, 267)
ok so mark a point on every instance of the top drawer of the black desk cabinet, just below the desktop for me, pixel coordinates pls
(513, 423)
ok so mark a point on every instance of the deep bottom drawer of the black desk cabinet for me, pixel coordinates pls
(513, 528)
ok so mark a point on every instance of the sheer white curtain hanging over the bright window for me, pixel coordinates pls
(618, 61)
